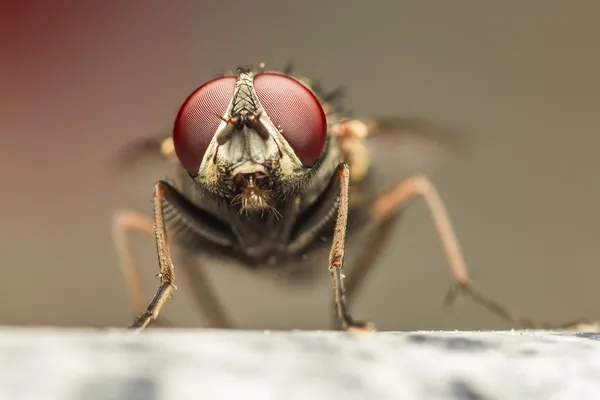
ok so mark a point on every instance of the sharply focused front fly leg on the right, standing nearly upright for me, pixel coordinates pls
(336, 256)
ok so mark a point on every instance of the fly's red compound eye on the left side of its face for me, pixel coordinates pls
(198, 119)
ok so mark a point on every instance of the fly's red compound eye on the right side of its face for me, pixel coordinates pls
(294, 108)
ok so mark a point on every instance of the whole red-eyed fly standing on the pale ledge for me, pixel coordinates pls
(271, 172)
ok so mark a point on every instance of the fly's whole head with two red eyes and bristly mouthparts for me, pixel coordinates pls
(255, 139)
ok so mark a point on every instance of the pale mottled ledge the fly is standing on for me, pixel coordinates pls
(53, 364)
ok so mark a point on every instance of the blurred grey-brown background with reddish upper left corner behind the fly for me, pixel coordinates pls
(82, 79)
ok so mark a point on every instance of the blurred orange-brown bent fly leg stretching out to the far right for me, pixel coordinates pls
(387, 206)
